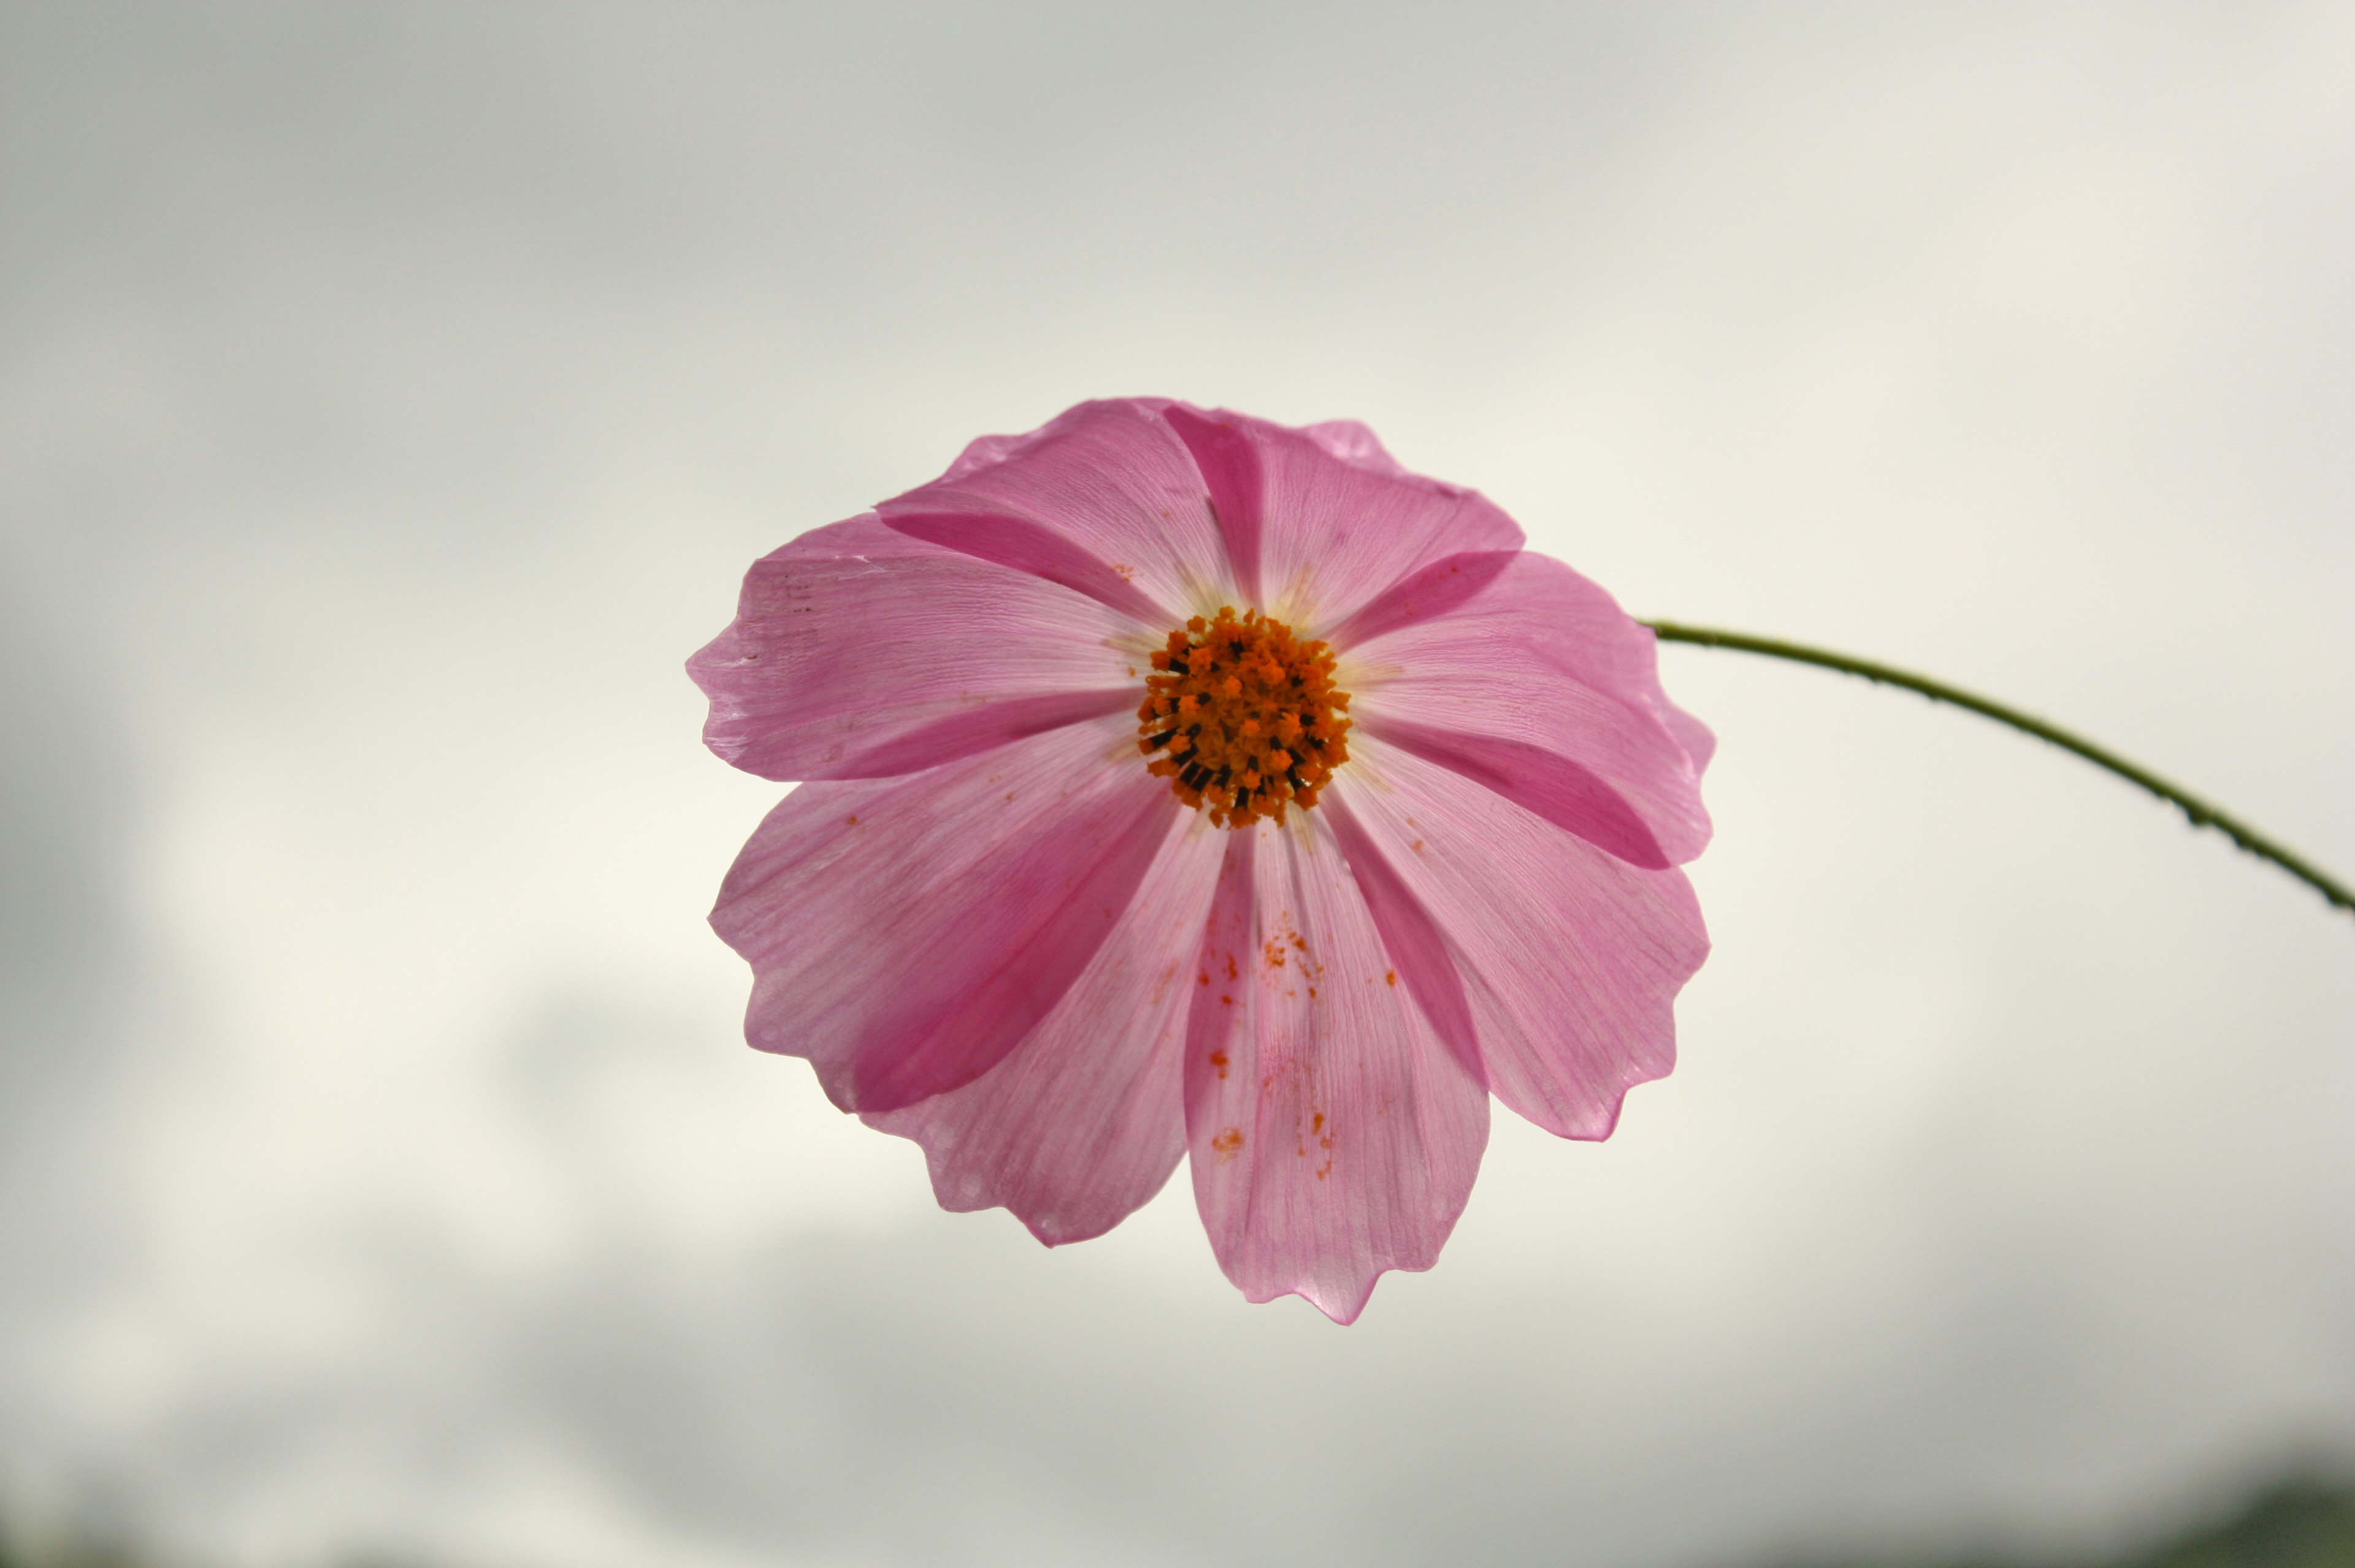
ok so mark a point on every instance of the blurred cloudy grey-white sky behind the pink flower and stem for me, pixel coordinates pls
(392, 399)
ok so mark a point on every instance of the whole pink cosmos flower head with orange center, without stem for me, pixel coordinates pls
(1186, 785)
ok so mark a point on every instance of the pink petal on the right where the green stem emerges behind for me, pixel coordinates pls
(1548, 693)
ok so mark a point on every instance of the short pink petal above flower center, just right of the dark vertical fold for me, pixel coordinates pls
(1341, 521)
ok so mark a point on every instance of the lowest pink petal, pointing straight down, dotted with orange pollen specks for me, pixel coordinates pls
(1332, 1131)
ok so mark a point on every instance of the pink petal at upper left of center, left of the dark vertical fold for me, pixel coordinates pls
(1113, 484)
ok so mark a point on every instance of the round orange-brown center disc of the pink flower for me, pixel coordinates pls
(1245, 717)
